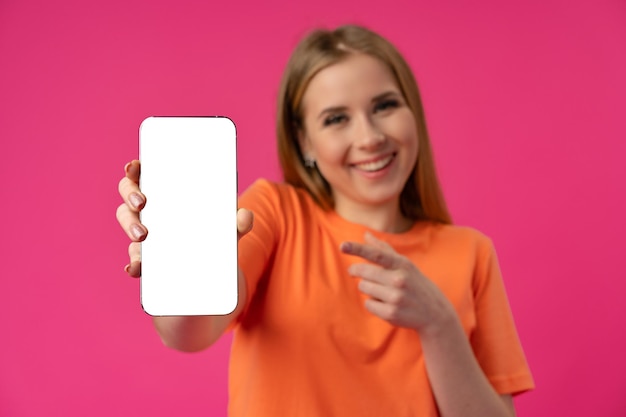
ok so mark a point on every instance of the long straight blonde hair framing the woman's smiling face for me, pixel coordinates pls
(421, 198)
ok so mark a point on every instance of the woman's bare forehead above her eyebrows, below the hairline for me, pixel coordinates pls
(358, 78)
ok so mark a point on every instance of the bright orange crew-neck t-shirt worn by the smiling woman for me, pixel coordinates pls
(306, 346)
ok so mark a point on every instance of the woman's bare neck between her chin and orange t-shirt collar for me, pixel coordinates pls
(383, 218)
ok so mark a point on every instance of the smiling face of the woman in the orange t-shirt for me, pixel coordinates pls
(360, 132)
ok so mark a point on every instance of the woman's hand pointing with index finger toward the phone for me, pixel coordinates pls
(399, 293)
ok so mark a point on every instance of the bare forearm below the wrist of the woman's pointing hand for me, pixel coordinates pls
(459, 384)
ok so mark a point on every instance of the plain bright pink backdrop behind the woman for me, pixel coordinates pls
(525, 105)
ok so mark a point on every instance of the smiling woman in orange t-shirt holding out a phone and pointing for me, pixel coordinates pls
(357, 295)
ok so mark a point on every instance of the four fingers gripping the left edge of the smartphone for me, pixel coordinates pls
(128, 215)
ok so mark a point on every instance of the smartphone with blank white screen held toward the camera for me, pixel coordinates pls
(189, 178)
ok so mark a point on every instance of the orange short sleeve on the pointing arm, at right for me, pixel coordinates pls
(495, 340)
